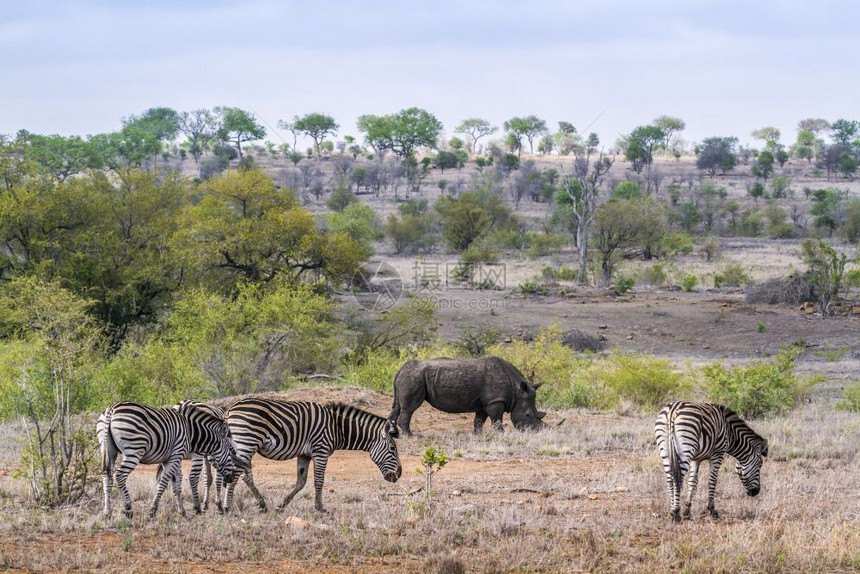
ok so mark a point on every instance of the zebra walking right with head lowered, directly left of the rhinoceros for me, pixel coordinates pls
(281, 430)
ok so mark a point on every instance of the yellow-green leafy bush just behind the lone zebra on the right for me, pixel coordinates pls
(760, 387)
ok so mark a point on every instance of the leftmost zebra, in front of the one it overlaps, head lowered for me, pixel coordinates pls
(151, 436)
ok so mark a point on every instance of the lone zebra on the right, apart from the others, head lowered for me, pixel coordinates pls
(689, 433)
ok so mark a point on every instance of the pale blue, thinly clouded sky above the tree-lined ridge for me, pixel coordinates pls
(726, 68)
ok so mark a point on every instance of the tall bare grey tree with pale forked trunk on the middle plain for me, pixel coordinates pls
(583, 187)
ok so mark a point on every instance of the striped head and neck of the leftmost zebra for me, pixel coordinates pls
(210, 435)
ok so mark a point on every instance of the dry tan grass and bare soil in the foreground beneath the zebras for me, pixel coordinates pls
(587, 496)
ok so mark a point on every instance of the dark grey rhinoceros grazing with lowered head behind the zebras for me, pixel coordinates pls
(487, 387)
